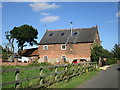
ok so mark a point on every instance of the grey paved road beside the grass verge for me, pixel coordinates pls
(104, 79)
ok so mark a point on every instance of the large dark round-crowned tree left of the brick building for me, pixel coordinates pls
(24, 34)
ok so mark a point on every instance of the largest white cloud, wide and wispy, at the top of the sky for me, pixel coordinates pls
(43, 6)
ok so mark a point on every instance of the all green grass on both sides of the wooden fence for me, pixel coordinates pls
(7, 77)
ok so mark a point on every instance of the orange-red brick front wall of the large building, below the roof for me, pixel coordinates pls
(73, 51)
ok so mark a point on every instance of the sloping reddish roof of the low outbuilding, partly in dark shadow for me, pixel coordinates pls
(30, 52)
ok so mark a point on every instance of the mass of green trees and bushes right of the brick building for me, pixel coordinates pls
(98, 51)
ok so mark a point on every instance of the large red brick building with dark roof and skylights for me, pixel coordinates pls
(61, 44)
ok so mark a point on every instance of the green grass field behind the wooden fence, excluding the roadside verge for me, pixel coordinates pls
(10, 76)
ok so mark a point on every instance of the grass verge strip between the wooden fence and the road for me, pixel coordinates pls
(75, 81)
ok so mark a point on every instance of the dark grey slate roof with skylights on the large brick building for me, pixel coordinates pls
(84, 35)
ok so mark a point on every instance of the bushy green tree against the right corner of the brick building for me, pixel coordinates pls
(96, 52)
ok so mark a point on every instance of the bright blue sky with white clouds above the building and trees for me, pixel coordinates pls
(58, 15)
